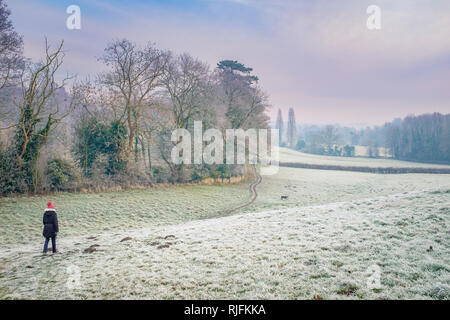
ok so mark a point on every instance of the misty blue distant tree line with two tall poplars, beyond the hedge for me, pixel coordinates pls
(423, 138)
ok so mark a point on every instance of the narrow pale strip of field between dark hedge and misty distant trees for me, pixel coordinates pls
(289, 155)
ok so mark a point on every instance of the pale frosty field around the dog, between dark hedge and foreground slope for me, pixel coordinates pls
(306, 187)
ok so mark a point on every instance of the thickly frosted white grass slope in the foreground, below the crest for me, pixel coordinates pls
(320, 251)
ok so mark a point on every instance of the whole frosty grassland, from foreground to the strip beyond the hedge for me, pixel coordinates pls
(173, 243)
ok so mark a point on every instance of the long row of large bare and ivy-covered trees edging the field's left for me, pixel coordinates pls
(115, 130)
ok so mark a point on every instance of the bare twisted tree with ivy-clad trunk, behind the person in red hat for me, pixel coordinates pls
(38, 111)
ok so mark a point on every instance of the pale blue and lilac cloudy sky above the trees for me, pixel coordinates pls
(315, 56)
